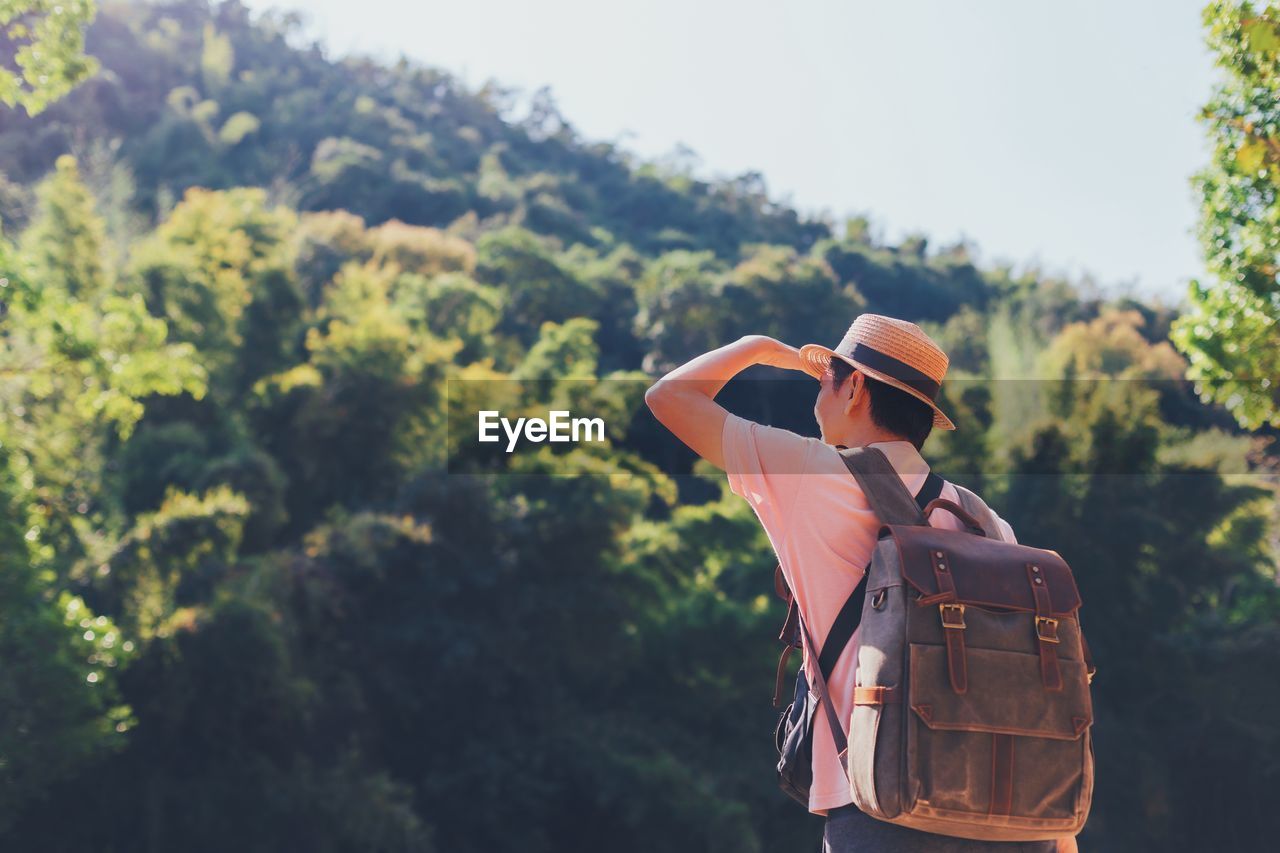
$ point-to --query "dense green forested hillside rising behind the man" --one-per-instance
(255, 596)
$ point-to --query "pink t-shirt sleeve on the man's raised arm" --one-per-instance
(765, 466)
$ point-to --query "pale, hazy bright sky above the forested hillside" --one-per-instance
(1059, 136)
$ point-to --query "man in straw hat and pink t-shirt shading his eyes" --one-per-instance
(877, 389)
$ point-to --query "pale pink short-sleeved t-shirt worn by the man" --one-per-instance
(822, 531)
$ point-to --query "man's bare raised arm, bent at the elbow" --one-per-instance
(684, 402)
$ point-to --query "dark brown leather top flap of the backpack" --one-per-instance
(986, 572)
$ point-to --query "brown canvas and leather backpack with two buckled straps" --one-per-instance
(972, 714)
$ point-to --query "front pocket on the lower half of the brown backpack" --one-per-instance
(1004, 696)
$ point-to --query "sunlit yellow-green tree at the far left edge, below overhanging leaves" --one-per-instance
(72, 371)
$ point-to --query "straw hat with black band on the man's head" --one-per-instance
(894, 352)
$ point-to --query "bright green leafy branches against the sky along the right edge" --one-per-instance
(1232, 335)
